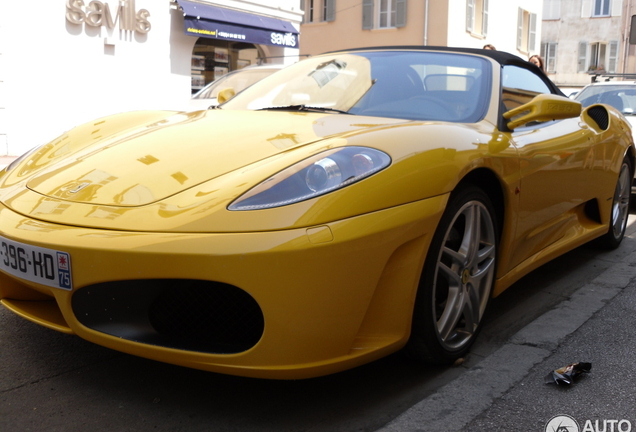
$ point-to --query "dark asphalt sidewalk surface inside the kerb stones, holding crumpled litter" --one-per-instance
(602, 400)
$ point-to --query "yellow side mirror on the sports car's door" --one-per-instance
(544, 107)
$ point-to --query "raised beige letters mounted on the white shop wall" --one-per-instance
(97, 14)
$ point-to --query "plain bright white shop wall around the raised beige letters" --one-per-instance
(55, 74)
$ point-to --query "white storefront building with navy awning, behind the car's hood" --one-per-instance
(66, 62)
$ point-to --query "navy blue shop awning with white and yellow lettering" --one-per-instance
(215, 22)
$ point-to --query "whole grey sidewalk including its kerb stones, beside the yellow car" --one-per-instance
(506, 391)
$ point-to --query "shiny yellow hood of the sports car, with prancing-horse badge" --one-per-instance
(143, 158)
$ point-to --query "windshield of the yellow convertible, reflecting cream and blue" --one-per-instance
(415, 85)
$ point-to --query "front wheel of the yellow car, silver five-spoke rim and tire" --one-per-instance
(457, 279)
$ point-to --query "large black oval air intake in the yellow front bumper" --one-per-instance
(191, 315)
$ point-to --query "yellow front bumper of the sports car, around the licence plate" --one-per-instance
(332, 297)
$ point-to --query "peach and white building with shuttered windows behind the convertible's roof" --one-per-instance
(510, 25)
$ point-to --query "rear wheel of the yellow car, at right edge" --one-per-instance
(620, 207)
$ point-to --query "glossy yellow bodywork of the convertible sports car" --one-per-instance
(135, 200)
